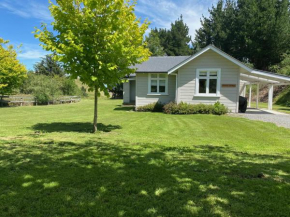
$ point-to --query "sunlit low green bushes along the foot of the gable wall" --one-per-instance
(186, 108)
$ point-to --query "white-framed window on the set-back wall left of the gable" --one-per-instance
(158, 83)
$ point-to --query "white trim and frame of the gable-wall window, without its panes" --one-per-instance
(207, 94)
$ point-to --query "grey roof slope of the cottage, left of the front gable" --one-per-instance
(160, 64)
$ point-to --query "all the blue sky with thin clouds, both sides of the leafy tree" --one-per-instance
(19, 17)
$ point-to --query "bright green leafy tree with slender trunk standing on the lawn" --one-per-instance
(96, 40)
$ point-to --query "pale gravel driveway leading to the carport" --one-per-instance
(280, 119)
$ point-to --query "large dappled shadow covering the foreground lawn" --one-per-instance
(104, 179)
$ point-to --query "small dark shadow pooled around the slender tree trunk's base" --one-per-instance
(73, 127)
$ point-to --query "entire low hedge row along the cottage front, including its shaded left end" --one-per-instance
(185, 108)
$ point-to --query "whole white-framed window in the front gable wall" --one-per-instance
(208, 82)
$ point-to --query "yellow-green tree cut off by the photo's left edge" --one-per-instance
(12, 72)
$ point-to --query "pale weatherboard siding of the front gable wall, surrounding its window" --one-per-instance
(230, 74)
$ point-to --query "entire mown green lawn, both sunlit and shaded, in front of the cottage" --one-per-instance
(140, 164)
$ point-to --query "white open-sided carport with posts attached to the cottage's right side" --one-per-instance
(248, 78)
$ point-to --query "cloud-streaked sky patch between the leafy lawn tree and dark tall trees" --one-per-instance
(162, 13)
